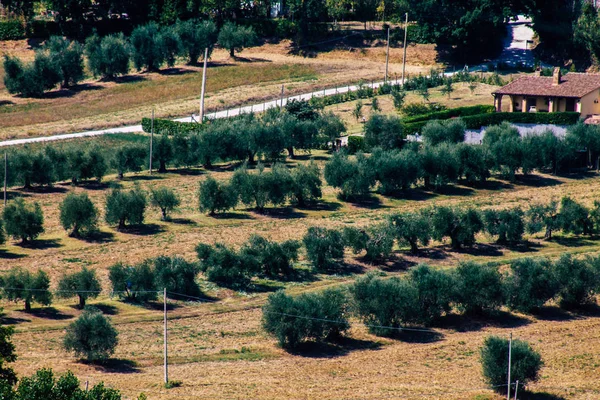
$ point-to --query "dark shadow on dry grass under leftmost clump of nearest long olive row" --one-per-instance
(338, 348)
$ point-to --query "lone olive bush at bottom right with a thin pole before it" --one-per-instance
(525, 362)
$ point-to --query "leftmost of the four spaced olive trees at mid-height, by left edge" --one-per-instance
(23, 221)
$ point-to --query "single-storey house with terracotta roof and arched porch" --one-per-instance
(572, 92)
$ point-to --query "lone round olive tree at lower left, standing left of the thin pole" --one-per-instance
(91, 336)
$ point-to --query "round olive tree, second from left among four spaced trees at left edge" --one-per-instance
(78, 215)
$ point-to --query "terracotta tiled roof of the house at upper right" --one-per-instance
(571, 85)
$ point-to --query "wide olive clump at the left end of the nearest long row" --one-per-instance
(310, 316)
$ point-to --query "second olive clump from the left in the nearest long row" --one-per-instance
(385, 303)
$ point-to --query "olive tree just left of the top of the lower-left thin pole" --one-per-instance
(133, 283)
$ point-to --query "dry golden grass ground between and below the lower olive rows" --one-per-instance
(218, 349)
